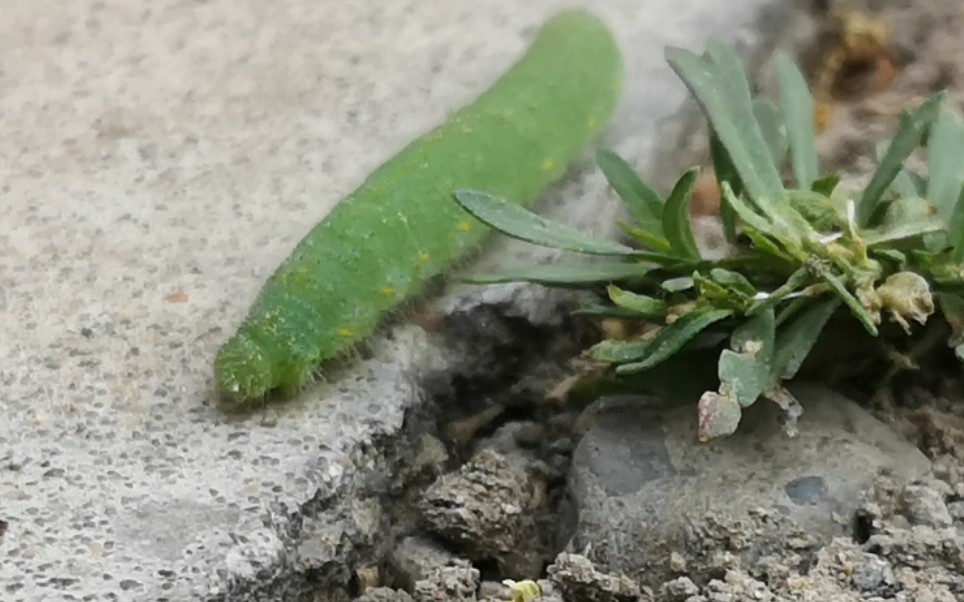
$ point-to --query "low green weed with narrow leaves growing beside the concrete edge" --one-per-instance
(805, 247)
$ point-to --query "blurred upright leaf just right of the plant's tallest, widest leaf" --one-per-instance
(796, 104)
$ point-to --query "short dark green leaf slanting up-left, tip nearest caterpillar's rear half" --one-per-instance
(642, 202)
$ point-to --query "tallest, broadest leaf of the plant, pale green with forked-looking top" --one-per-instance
(718, 82)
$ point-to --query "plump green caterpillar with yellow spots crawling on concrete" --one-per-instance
(402, 226)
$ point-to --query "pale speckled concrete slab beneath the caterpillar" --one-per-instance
(157, 161)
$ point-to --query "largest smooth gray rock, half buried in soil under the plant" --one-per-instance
(644, 487)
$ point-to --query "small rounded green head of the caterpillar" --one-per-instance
(242, 371)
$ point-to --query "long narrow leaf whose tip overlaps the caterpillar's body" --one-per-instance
(513, 220)
